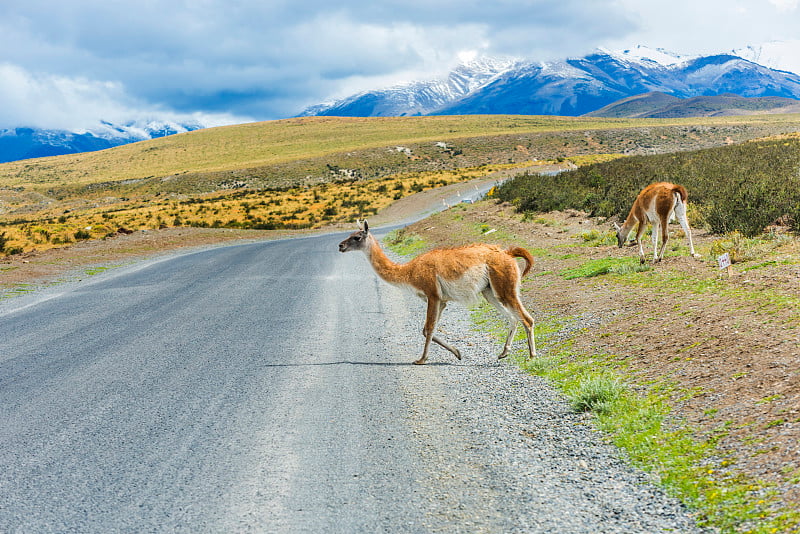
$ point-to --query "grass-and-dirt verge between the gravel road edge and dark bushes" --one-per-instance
(706, 454)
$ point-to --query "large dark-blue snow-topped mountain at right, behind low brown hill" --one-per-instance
(576, 87)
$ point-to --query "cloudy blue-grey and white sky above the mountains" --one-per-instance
(70, 64)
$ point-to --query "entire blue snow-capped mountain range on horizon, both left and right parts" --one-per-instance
(570, 87)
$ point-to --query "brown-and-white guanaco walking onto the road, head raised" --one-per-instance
(454, 274)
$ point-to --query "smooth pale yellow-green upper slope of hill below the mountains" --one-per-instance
(257, 144)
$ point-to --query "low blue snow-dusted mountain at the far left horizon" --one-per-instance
(24, 143)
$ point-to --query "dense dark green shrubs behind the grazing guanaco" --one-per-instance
(741, 188)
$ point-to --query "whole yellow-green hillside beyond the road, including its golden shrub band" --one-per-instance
(311, 172)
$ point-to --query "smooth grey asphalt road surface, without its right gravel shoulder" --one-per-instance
(243, 388)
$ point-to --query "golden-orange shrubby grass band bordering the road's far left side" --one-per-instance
(300, 207)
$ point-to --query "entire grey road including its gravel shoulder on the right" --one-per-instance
(268, 387)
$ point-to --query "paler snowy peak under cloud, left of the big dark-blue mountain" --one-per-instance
(417, 98)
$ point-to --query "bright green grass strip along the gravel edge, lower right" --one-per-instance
(641, 422)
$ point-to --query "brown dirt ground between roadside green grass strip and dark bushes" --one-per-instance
(728, 347)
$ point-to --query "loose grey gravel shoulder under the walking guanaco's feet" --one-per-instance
(504, 451)
